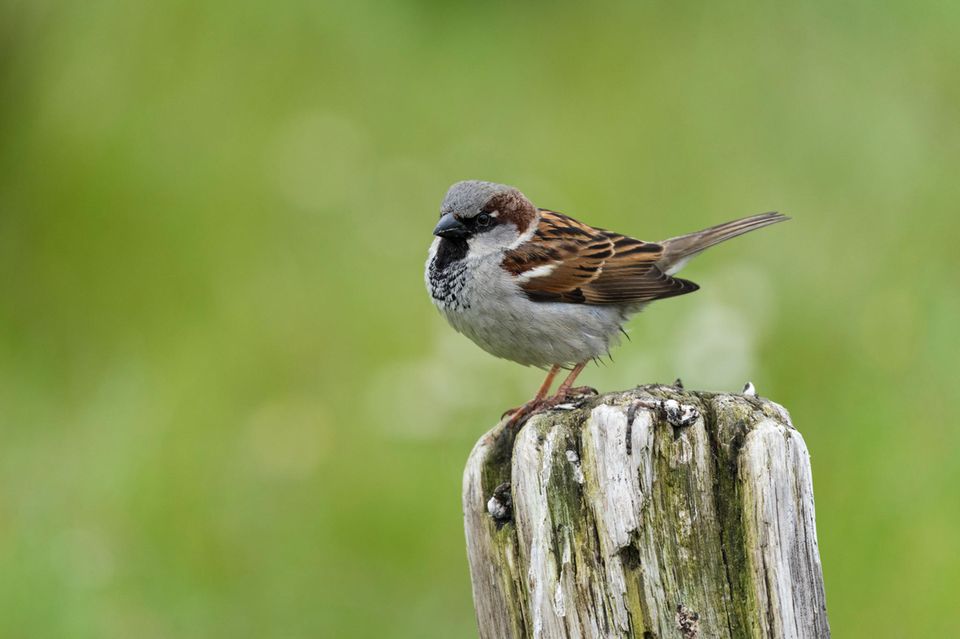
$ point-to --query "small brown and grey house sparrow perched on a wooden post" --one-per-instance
(542, 289)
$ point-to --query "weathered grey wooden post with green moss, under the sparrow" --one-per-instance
(652, 513)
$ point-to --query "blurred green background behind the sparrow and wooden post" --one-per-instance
(227, 406)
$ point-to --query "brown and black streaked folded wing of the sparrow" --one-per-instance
(568, 261)
